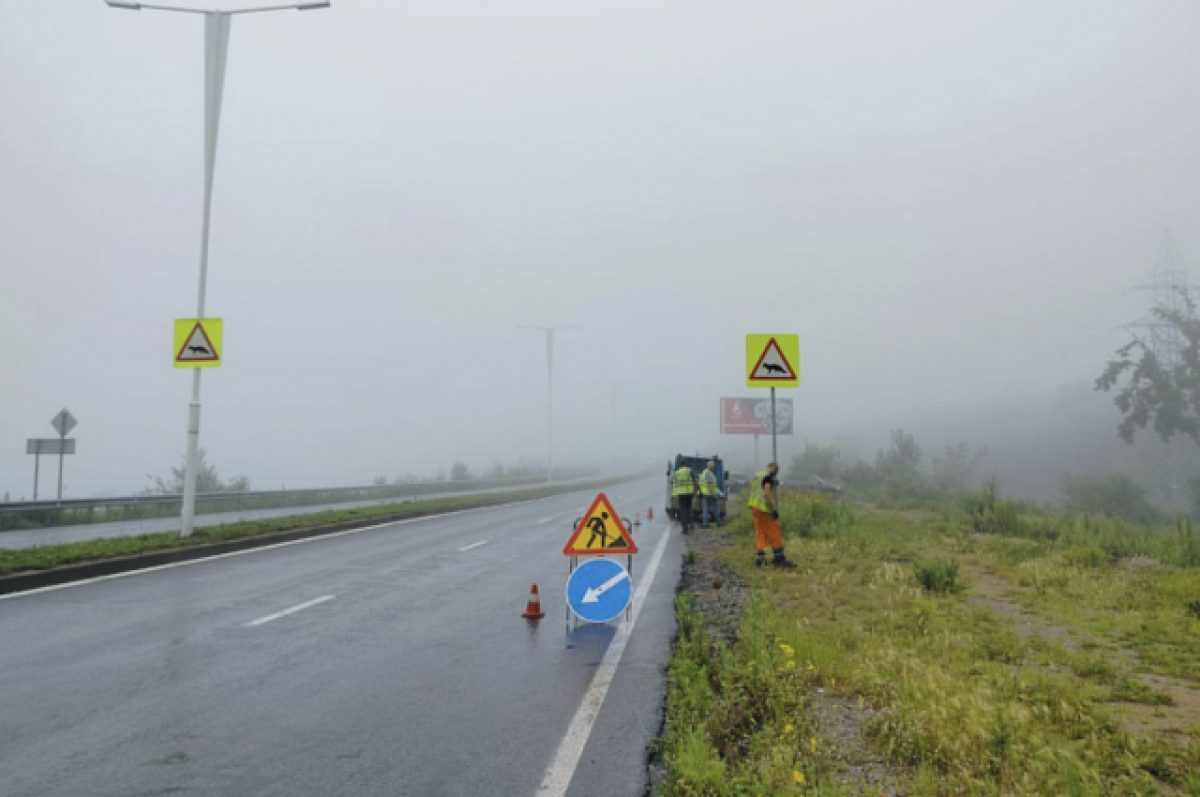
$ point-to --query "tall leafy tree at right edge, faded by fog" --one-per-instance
(1165, 395)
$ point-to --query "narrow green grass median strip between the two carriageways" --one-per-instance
(55, 556)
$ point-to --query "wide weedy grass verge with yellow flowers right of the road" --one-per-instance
(974, 663)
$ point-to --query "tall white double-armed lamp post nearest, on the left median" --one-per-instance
(217, 49)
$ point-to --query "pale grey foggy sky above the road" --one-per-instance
(950, 203)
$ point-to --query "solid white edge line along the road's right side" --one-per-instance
(562, 770)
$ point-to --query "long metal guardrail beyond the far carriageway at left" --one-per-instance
(43, 514)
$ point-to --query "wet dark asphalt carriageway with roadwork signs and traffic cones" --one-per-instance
(415, 676)
